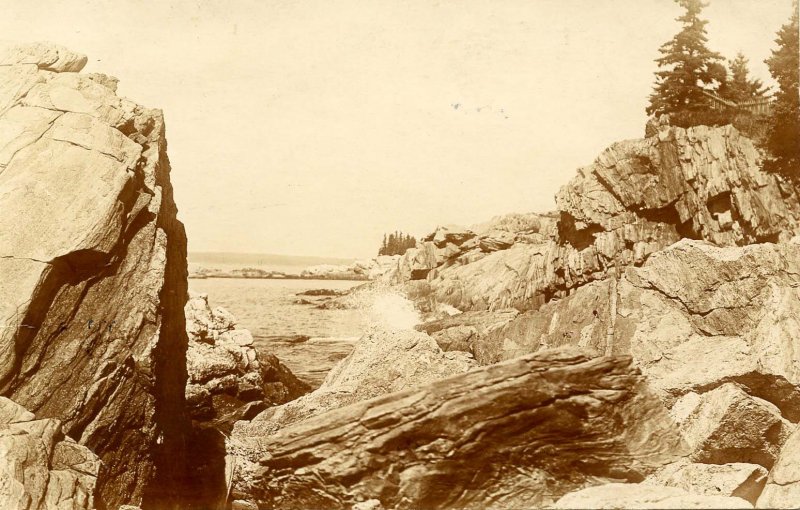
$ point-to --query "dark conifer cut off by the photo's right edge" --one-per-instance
(783, 139)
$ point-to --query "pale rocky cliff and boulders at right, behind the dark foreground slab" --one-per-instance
(677, 250)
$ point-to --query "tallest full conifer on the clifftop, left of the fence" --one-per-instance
(688, 66)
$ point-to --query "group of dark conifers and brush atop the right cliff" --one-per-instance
(689, 72)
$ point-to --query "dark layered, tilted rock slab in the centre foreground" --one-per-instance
(513, 435)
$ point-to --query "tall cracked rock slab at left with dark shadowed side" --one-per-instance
(94, 271)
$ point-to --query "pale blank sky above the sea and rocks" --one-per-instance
(311, 127)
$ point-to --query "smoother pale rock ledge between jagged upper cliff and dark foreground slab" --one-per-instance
(694, 317)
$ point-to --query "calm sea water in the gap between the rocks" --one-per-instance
(268, 309)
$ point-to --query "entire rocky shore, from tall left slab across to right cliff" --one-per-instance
(636, 348)
